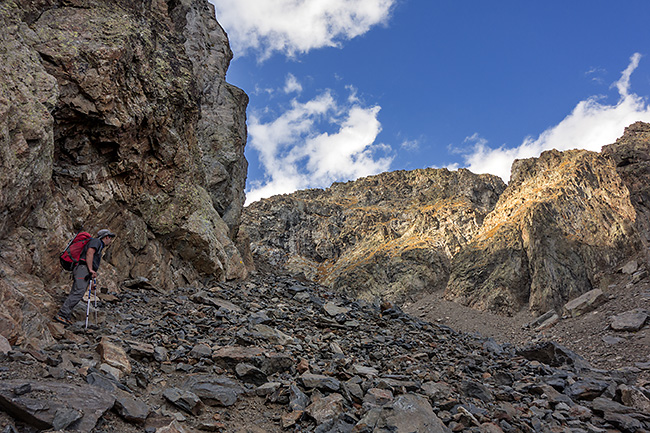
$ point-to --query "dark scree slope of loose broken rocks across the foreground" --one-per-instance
(275, 354)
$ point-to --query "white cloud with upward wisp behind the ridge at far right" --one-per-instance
(590, 126)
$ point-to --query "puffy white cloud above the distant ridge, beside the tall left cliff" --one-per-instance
(295, 155)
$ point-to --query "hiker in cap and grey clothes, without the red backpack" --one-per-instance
(82, 273)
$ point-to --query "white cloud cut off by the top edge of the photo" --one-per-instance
(297, 26)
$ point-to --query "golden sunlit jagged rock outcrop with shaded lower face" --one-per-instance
(564, 218)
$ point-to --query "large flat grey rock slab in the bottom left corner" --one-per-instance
(50, 402)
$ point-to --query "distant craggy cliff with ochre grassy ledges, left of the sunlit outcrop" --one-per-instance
(388, 235)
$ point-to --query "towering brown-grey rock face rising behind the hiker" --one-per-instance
(115, 114)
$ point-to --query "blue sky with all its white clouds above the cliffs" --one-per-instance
(341, 89)
